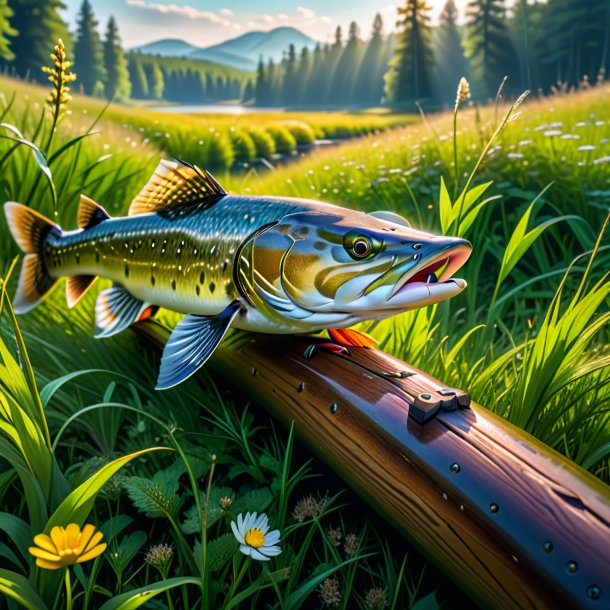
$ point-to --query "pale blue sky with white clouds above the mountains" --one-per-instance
(207, 22)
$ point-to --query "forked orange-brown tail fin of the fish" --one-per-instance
(29, 230)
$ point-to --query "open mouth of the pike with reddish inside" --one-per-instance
(436, 271)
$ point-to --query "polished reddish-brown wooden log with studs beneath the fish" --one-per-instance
(512, 522)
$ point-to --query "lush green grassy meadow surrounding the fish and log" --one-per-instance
(529, 339)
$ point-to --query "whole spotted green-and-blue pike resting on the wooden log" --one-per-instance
(262, 264)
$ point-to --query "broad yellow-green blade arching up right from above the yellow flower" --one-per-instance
(77, 506)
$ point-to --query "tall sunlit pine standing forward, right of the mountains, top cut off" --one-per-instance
(408, 76)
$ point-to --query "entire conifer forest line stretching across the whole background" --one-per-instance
(537, 44)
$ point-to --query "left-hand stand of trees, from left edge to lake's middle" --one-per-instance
(28, 29)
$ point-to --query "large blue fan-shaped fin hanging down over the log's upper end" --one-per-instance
(191, 344)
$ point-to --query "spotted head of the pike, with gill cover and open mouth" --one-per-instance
(368, 266)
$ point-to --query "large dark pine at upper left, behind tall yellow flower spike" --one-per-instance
(39, 25)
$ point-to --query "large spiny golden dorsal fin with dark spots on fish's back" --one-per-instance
(176, 183)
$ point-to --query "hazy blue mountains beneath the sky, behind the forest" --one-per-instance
(241, 52)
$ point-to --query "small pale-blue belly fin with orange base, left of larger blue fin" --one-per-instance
(116, 310)
